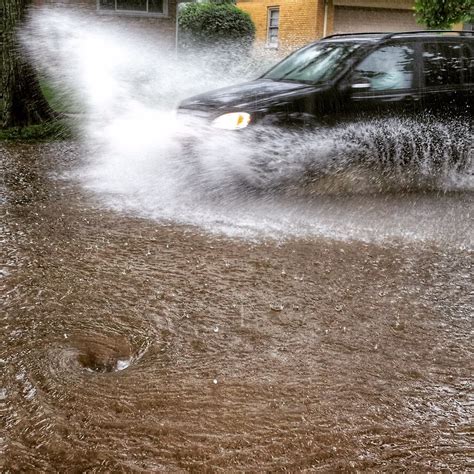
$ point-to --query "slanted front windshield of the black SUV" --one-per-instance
(314, 64)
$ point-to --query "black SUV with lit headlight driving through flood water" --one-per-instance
(350, 77)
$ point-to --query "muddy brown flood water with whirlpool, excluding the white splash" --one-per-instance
(129, 345)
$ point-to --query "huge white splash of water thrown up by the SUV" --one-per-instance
(145, 160)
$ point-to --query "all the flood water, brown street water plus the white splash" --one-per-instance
(163, 316)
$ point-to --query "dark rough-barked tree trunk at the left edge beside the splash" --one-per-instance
(21, 96)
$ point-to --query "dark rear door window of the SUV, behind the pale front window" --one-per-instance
(442, 64)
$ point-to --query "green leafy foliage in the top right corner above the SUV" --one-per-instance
(442, 14)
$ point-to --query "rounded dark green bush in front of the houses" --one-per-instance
(214, 23)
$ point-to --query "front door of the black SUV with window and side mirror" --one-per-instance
(385, 83)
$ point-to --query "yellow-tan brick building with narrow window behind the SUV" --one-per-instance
(286, 24)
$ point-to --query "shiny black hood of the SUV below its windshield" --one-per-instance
(251, 94)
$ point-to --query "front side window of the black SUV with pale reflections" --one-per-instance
(388, 68)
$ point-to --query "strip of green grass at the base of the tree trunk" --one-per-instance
(57, 130)
